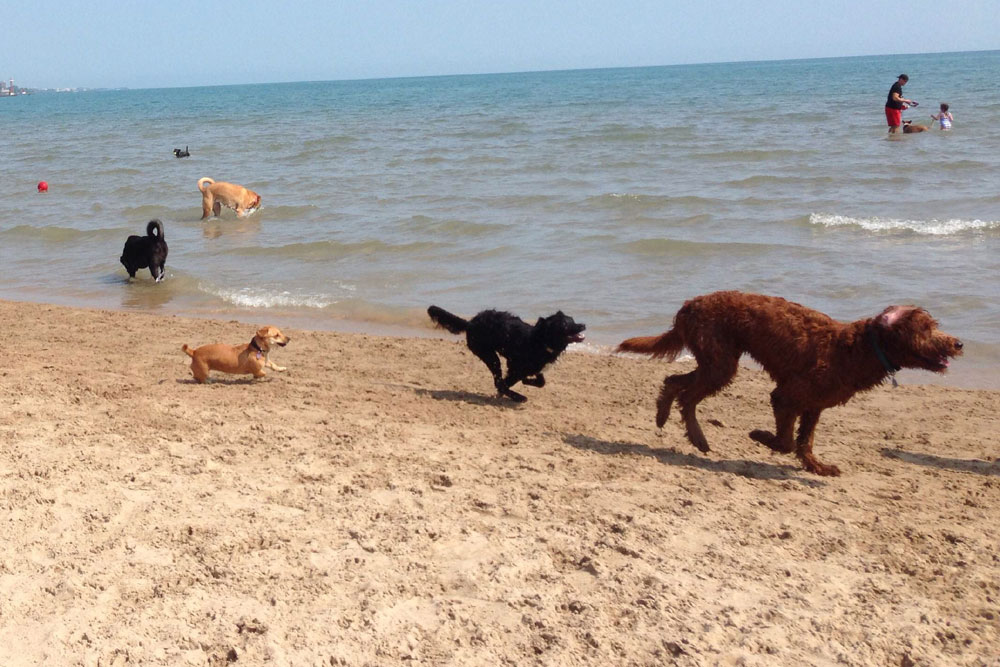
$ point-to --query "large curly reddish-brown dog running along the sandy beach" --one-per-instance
(815, 361)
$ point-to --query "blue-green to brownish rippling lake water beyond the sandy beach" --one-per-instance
(611, 194)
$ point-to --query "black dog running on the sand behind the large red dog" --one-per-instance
(528, 349)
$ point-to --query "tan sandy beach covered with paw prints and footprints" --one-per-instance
(376, 505)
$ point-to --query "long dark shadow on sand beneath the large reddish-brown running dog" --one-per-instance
(743, 468)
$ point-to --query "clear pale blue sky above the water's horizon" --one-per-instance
(170, 43)
